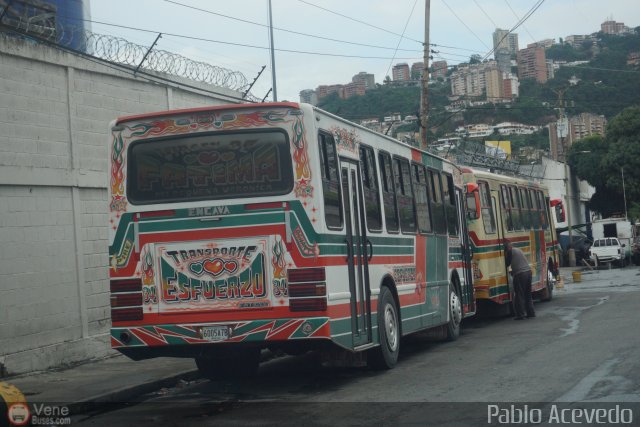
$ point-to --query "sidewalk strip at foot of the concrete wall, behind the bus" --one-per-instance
(113, 380)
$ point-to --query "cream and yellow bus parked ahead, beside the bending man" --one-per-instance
(504, 207)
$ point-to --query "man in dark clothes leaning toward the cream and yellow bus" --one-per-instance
(521, 273)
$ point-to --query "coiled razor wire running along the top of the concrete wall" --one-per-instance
(39, 19)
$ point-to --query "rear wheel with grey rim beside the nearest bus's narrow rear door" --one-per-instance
(386, 355)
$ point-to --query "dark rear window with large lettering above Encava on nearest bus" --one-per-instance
(209, 167)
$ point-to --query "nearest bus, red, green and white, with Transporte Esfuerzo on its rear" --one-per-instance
(239, 228)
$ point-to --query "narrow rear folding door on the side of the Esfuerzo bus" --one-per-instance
(357, 256)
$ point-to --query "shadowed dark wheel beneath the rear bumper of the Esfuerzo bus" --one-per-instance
(243, 364)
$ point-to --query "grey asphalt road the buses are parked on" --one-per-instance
(582, 350)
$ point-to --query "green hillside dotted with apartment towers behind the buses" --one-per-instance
(519, 95)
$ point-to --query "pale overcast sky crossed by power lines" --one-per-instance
(464, 26)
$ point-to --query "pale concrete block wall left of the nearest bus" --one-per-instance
(54, 113)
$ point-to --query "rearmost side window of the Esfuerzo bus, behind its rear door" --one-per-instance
(330, 181)
